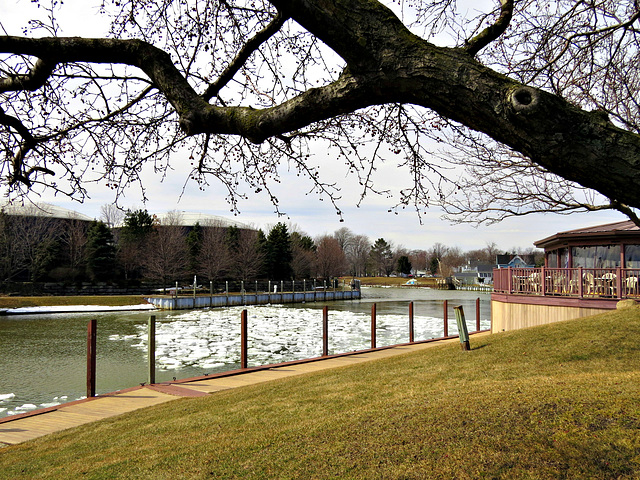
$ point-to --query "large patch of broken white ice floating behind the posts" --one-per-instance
(211, 338)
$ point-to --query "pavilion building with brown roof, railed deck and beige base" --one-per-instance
(587, 271)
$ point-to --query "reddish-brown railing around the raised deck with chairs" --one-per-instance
(615, 283)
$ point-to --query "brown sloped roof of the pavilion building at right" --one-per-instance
(610, 232)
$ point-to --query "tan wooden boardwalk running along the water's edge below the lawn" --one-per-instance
(20, 428)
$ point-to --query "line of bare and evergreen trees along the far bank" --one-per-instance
(143, 248)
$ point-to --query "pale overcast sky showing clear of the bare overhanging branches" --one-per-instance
(307, 212)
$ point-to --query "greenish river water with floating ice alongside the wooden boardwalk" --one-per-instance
(43, 357)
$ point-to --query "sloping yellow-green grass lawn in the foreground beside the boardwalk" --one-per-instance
(558, 401)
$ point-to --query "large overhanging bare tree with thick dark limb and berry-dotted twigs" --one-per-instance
(556, 83)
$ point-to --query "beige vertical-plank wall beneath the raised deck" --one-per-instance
(512, 316)
